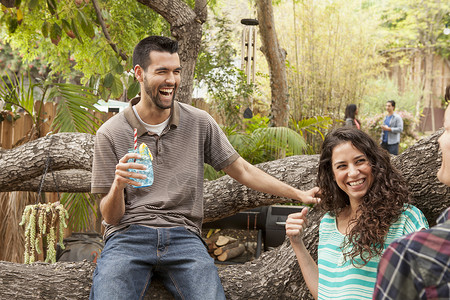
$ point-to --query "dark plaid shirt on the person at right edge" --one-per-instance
(417, 266)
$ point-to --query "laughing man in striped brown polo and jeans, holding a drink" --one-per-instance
(155, 230)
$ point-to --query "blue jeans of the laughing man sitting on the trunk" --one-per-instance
(132, 256)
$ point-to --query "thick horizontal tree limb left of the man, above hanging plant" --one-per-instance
(71, 160)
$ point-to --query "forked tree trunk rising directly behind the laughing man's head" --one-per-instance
(186, 27)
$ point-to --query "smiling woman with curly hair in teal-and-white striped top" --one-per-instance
(367, 206)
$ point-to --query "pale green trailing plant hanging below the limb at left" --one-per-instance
(48, 221)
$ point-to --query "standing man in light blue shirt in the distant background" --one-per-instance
(392, 127)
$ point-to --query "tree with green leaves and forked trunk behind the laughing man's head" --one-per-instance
(97, 37)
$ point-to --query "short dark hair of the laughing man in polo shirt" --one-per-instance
(141, 53)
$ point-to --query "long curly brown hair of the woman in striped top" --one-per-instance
(380, 207)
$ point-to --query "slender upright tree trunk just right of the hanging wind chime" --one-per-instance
(276, 57)
